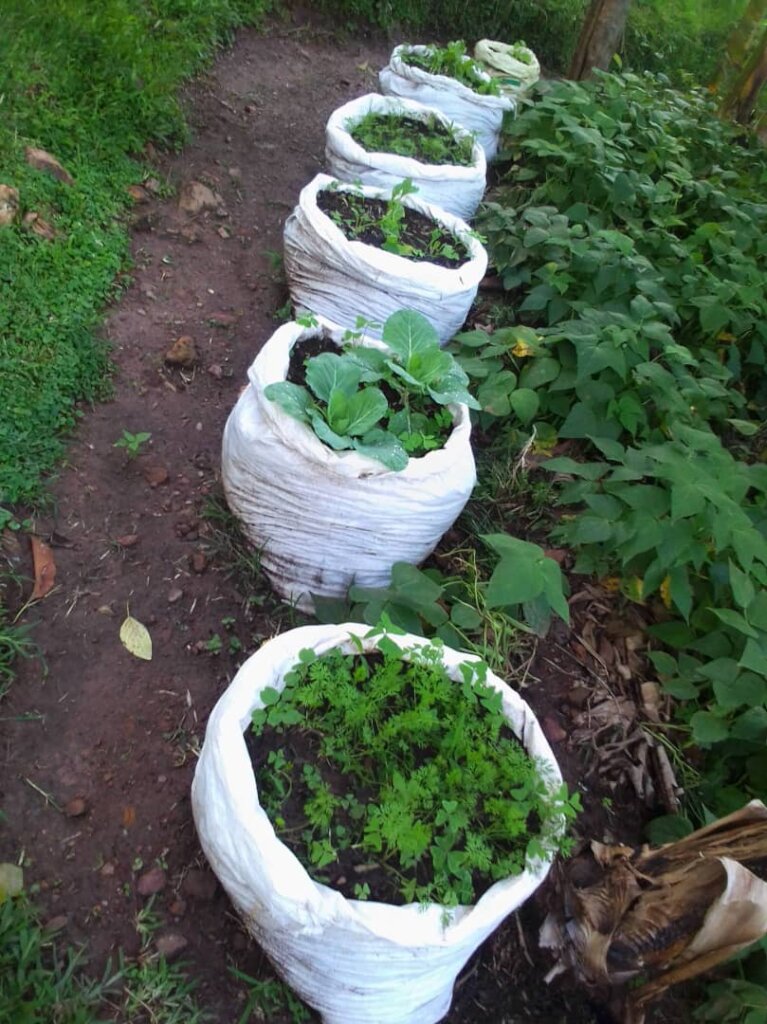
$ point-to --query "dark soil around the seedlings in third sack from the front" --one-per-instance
(418, 231)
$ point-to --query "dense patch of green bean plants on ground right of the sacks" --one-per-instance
(629, 235)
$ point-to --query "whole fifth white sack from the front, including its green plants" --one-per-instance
(446, 78)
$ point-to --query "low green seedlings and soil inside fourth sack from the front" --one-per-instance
(428, 140)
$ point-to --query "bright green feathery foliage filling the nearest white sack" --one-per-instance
(407, 769)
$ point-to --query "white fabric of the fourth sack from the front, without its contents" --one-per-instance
(455, 189)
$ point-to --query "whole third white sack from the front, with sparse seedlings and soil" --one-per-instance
(354, 247)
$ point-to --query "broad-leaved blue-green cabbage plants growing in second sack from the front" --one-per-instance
(345, 405)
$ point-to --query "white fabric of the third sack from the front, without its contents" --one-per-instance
(340, 280)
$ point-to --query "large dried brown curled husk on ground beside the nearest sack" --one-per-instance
(665, 915)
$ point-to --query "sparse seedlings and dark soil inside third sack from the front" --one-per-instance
(391, 226)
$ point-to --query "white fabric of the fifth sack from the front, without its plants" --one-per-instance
(479, 114)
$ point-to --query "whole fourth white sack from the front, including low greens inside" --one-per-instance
(381, 141)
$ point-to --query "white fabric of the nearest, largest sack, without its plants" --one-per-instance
(356, 962)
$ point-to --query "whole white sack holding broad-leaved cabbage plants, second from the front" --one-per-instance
(340, 462)
